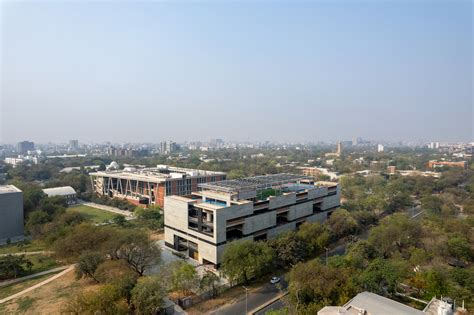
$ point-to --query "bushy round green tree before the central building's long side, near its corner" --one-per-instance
(243, 260)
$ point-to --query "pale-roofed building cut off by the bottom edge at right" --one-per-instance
(367, 303)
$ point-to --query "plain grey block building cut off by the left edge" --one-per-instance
(11, 214)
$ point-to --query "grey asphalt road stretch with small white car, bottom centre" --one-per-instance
(255, 298)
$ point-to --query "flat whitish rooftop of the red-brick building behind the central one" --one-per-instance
(156, 174)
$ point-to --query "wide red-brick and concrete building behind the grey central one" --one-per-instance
(149, 186)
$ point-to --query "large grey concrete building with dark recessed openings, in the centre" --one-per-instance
(253, 208)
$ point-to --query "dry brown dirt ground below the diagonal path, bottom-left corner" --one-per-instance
(48, 299)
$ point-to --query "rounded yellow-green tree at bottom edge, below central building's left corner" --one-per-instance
(148, 295)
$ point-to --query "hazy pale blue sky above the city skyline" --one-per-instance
(308, 71)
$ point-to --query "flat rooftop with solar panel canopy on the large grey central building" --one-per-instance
(255, 182)
